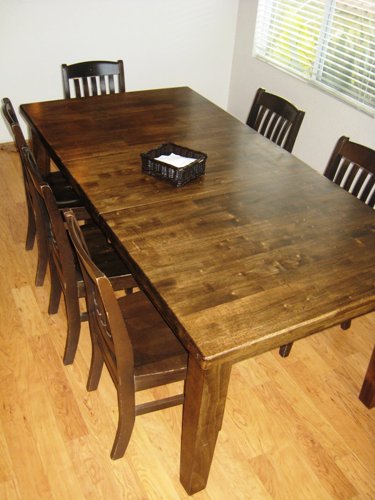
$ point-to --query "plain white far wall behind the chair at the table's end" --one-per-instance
(164, 43)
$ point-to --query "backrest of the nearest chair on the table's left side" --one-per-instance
(105, 317)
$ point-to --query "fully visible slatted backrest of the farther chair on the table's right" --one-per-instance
(275, 118)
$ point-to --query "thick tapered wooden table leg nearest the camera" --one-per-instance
(205, 396)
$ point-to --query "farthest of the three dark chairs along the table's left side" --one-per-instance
(63, 192)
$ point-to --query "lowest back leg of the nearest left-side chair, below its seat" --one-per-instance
(126, 419)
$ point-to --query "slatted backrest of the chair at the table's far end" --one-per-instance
(85, 79)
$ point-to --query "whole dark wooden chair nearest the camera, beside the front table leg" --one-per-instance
(132, 339)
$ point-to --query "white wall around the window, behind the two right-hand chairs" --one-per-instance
(326, 118)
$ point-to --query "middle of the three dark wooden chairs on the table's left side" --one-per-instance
(65, 272)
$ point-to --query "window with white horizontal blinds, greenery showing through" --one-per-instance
(328, 42)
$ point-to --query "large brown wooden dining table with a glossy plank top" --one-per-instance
(259, 252)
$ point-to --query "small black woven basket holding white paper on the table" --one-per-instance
(170, 173)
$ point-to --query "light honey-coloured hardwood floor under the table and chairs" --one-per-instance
(293, 428)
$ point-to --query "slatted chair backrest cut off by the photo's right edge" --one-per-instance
(352, 167)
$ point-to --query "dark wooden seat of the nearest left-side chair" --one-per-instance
(156, 349)
